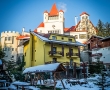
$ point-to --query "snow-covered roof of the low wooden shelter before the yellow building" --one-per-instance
(42, 68)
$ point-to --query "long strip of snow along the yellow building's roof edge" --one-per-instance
(58, 41)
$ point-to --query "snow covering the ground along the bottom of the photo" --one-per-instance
(89, 86)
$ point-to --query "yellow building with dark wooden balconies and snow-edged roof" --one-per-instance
(48, 48)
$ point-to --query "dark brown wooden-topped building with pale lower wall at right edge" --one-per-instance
(100, 49)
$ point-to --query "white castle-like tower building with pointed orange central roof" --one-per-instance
(53, 21)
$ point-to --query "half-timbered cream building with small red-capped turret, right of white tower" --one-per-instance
(83, 30)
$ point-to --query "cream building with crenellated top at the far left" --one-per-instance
(9, 44)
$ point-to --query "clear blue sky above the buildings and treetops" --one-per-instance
(16, 14)
